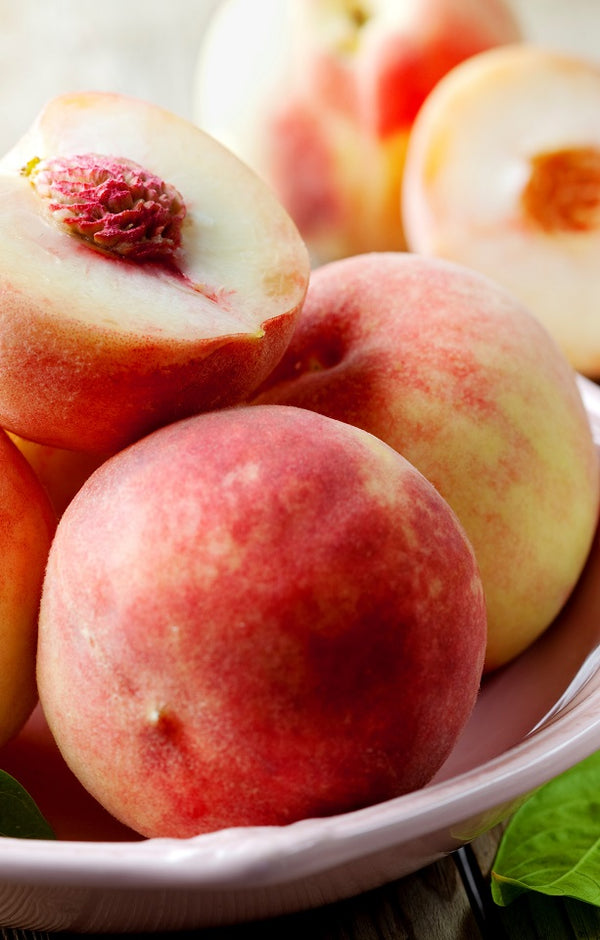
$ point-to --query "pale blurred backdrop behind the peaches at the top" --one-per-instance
(149, 48)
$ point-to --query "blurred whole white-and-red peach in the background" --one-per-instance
(323, 96)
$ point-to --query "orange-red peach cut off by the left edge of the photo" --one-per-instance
(27, 525)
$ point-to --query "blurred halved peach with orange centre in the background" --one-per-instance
(503, 175)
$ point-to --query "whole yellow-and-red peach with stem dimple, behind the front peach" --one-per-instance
(453, 372)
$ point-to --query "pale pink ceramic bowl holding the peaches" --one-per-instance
(535, 718)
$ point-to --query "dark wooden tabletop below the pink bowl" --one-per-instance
(446, 901)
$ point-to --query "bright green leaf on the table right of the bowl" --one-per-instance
(552, 843)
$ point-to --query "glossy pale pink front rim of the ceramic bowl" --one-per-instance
(260, 856)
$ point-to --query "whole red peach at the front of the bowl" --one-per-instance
(253, 616)
